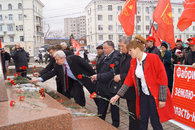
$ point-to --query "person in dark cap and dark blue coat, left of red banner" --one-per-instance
(167, 64)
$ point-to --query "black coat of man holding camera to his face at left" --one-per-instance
(20, 58)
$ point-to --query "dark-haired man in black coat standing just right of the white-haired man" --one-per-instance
(103, 77)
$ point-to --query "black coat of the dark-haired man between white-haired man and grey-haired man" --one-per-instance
(105, 73)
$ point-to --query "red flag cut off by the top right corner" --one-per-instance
(187, 17)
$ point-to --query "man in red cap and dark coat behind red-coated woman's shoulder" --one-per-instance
(151, 48)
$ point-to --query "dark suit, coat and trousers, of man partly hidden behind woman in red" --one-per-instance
(130, 95)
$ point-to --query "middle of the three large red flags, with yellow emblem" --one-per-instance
(163, 17)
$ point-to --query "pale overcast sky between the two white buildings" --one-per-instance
(56, 10)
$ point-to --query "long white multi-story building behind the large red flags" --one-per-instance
(102, 21)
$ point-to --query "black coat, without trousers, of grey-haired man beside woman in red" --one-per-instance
(124, 69)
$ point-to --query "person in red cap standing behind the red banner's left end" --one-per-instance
(176, 53)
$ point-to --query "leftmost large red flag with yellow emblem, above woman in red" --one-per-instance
(127, 16)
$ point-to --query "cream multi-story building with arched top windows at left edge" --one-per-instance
(21, 22)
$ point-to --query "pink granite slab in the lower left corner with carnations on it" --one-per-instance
(51, 116)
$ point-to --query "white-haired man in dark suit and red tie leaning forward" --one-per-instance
(68, 69)
